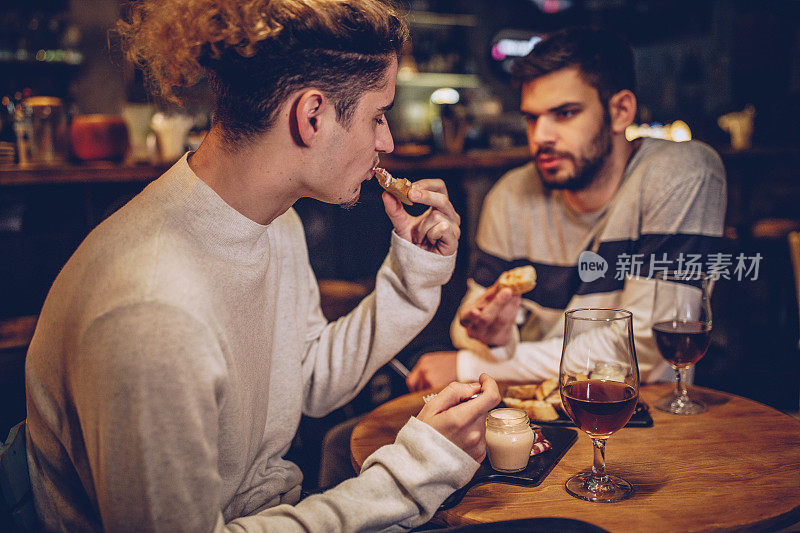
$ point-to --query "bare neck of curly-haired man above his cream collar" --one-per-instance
(251, 180)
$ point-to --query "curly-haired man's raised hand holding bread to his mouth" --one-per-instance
(437, 229)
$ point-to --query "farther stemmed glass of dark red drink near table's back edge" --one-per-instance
(682, 331)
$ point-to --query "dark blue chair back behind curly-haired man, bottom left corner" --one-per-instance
(15, 482)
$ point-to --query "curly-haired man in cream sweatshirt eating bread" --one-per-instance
(181, 342)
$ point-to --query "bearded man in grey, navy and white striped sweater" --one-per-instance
(589, 198)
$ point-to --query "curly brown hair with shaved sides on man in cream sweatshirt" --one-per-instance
(255, 53)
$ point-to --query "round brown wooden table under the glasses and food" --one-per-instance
(734, 467)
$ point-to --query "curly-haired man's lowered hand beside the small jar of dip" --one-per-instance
(464, 424)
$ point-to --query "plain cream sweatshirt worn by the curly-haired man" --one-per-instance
(175, 354)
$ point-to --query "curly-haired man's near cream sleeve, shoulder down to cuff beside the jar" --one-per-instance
(151, 380)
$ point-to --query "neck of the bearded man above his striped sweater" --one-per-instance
(609, 177)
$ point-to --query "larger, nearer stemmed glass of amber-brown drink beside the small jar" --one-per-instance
(599, 384)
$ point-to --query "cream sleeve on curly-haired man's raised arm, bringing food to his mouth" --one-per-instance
(342, 356)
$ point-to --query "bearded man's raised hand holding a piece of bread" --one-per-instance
(491, 317)
